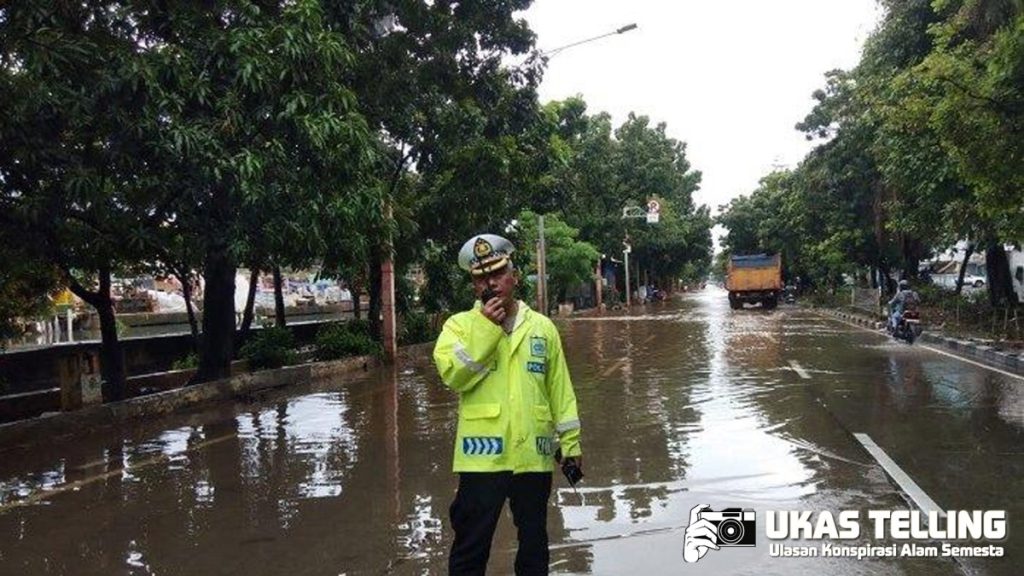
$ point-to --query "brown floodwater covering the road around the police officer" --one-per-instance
(682, 404)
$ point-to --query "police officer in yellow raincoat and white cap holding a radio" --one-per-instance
(517, 405)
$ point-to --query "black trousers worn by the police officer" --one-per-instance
(476, 512)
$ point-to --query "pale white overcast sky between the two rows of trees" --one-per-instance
(730, 78)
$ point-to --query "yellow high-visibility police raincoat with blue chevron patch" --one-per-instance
(515, 393)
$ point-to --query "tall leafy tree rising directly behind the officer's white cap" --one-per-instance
(433, 83)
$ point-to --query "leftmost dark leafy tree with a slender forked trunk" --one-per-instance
(75, 166)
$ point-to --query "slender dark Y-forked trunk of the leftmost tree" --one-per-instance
(112, 358)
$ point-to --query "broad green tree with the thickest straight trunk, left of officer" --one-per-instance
(258, 117)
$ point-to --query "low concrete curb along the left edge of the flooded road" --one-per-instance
(67, 424)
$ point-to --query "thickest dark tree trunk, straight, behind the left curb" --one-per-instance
(218, 349)
